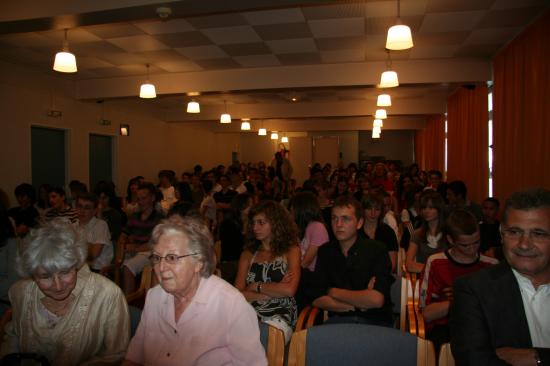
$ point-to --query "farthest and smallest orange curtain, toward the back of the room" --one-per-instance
(429, 144)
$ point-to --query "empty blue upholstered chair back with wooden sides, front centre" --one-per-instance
(358, 344)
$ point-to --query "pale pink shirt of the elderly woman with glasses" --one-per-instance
(218, 327)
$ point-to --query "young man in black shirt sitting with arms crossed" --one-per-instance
(353, 274)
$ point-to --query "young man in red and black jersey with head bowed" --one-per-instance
(442, 269)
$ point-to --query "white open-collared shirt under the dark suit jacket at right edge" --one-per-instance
(536, 304)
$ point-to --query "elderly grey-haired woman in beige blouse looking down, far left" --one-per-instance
(62, 310)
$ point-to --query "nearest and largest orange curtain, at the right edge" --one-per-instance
(522, 111)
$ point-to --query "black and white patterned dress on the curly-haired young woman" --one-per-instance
(280, 312)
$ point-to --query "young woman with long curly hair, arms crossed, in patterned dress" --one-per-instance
(269, 268)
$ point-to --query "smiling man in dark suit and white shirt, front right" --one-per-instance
(501, 314)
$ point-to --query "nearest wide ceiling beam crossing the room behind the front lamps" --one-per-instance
(330, 75)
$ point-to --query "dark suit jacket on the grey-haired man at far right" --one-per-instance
(487, 313)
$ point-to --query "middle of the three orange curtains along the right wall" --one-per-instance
(467, 140)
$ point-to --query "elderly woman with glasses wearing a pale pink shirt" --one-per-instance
(193, 317)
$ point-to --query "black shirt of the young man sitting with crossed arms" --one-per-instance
(366, 259)
